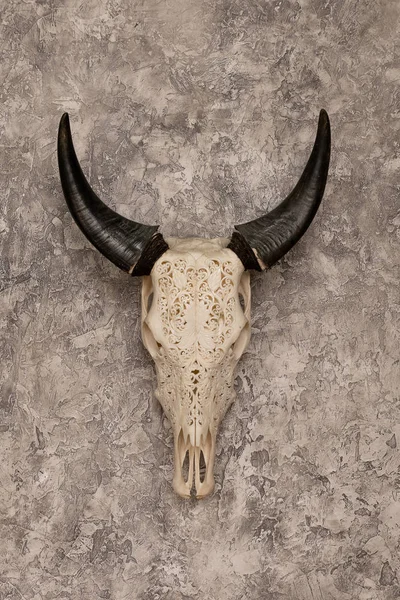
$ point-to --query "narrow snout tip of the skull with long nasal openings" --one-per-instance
(194, 465)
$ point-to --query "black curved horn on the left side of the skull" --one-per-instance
(131, 246)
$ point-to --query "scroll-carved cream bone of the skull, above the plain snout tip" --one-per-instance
(196, 318)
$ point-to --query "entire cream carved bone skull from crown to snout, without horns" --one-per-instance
(196, 330)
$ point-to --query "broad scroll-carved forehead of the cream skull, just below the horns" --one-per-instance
(196, 307)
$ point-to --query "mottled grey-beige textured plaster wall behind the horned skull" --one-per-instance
(198, 115)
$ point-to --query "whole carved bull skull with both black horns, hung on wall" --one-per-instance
(195, 298)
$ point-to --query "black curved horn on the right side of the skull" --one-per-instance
(262, 242)
